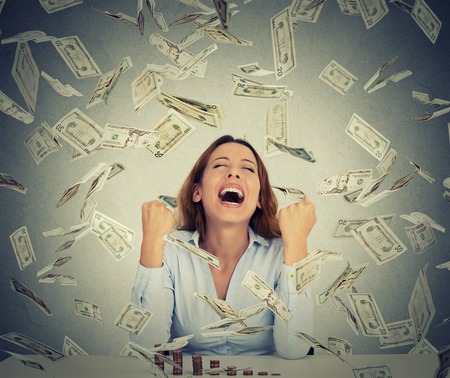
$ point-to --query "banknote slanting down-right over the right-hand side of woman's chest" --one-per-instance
(267, 295)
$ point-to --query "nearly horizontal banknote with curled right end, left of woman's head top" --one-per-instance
(124, 137)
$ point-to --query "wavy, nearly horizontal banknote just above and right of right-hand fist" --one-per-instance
(344, 182)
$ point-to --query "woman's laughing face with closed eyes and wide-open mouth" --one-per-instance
(229, 189)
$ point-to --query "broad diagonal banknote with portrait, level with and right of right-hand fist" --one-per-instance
(379, 240)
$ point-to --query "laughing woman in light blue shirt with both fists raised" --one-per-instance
(226, 207)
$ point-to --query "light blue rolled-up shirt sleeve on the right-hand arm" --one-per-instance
(301, 306)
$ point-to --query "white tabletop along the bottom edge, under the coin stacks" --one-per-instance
(318, 366)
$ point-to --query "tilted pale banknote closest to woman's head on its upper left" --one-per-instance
(173, 129)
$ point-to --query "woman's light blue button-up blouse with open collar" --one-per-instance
(167, 292)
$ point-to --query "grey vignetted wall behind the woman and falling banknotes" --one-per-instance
(318, 116)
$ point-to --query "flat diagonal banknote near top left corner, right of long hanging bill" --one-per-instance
(77, 58)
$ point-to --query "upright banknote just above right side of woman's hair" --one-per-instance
(277, 127)
